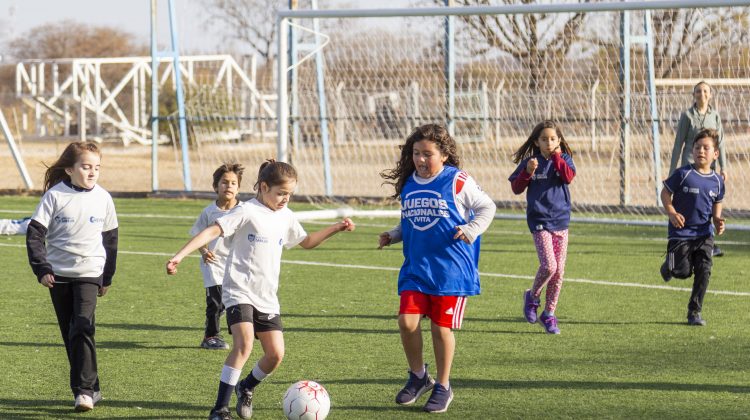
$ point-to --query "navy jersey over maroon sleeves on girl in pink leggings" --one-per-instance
(548, 196)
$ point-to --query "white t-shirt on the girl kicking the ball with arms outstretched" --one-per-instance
(254, 261)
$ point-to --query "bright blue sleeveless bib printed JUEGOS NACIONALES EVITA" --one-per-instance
(434, 262)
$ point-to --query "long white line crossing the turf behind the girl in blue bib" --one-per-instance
(499, 275)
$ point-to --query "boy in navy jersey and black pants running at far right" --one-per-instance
(692, 198)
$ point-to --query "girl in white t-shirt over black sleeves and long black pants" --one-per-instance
(72, 247)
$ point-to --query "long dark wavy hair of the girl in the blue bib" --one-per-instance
(405, 165)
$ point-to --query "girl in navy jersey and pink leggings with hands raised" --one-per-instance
(545, 167)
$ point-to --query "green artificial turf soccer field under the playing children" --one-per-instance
(625, 350)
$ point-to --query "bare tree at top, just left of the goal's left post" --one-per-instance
(250, 22)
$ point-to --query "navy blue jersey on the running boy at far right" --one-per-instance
(693, 196)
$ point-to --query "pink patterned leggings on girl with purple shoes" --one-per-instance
(552, 248)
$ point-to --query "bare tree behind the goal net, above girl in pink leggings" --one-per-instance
(534, 40)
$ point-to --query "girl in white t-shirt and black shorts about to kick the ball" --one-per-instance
(260, 227)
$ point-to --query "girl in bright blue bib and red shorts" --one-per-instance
(443, 212)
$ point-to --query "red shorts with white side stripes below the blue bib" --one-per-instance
(445, 311)
